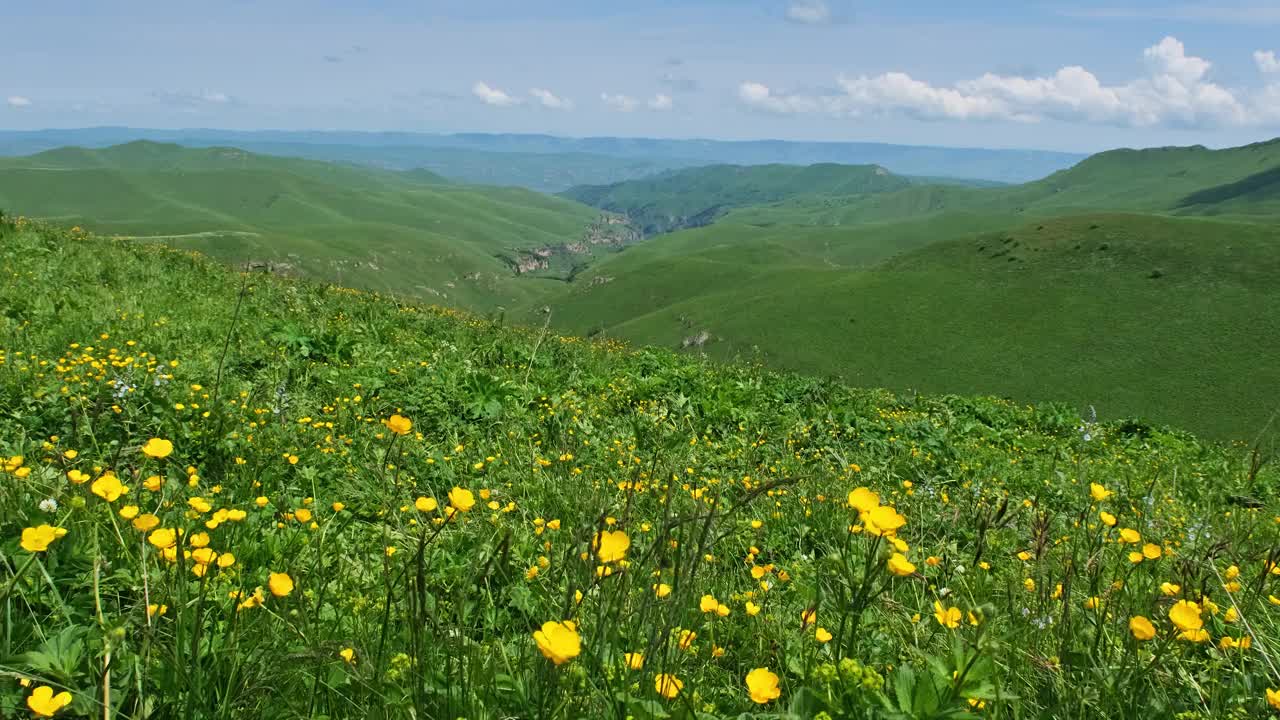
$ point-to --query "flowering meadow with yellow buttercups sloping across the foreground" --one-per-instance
(235, 496)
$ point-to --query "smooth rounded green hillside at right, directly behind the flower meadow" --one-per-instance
(1167, 318)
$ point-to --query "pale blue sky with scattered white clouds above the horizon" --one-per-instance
(1081, 76)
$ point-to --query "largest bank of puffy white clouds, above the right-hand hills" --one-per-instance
(1176, 90)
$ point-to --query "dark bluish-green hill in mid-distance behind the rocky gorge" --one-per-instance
(698, 197)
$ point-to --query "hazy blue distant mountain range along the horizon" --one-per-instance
(552, 165)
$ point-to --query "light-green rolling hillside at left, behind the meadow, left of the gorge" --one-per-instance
(403, 233)
